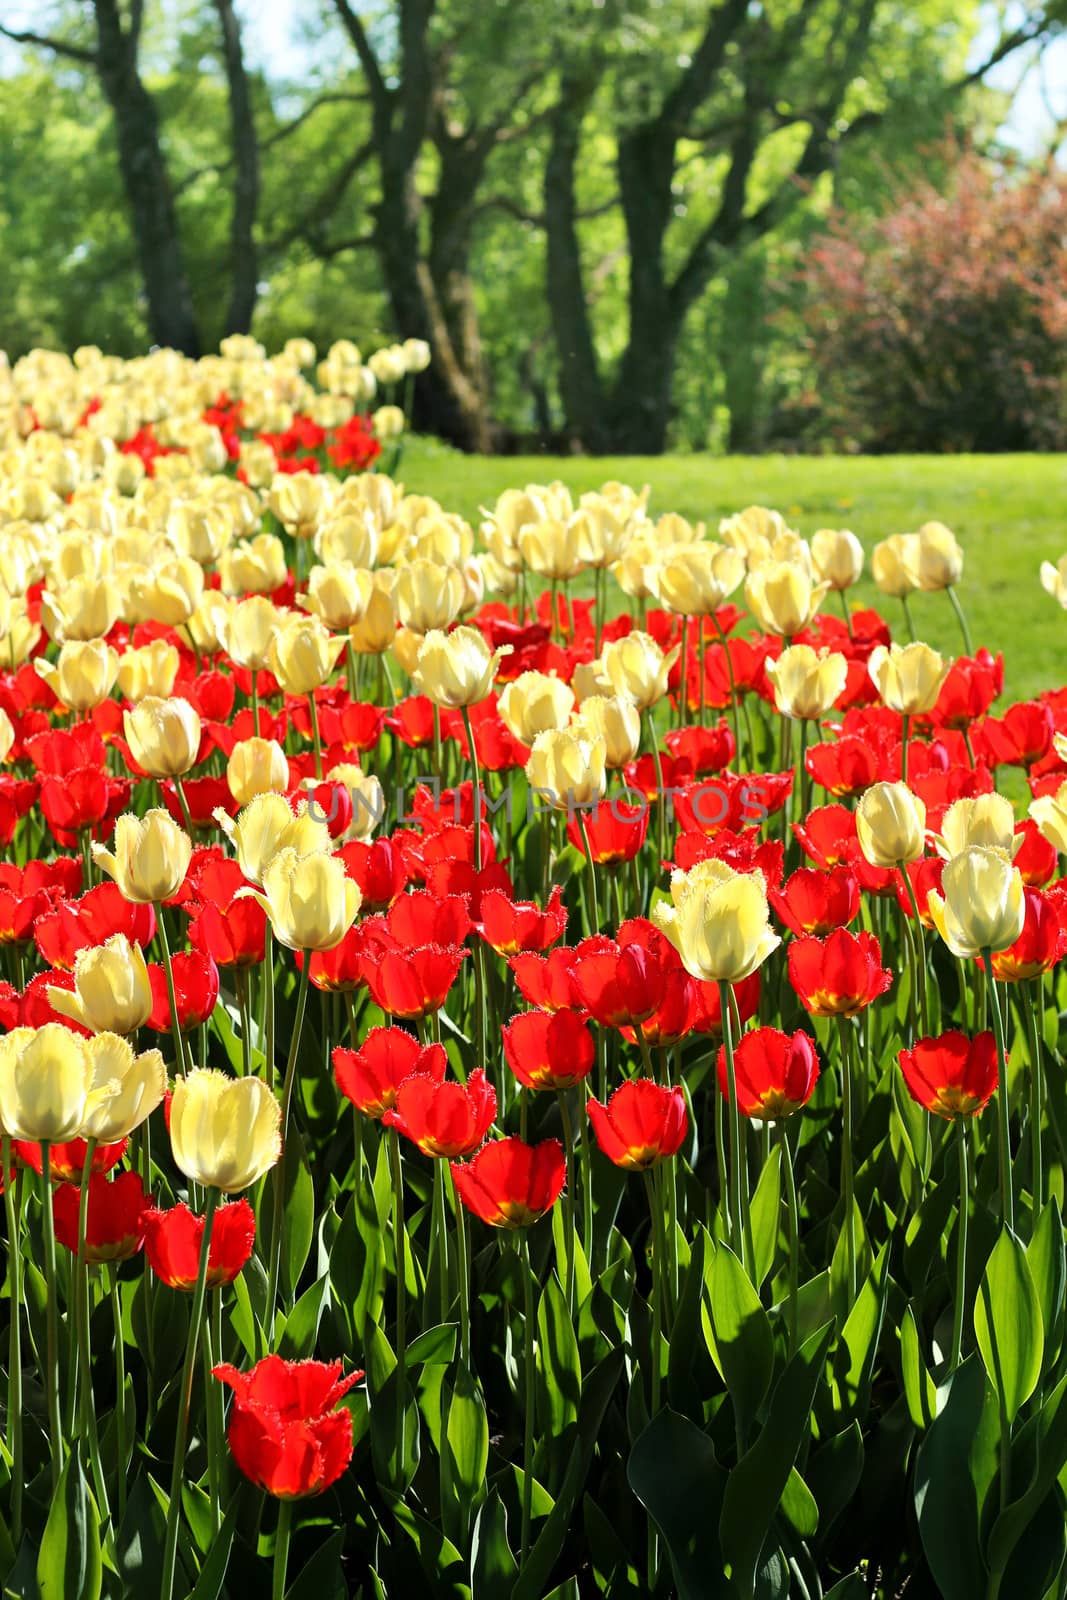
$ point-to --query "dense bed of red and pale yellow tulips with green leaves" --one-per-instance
(530, 1055)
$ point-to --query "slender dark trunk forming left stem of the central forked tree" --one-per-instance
(580, 375)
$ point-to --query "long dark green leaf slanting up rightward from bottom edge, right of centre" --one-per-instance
(757, 1484)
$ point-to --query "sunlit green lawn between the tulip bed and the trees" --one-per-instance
(1009, 513)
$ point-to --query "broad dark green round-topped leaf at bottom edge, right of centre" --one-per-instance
(677, 1479)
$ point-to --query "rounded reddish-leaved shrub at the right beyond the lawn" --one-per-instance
(945, 324)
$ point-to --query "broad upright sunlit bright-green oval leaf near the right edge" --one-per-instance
(1009, 1324)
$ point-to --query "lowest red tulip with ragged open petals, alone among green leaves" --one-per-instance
(287, 1433)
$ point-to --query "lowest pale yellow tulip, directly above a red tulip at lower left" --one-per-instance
(226, 1134)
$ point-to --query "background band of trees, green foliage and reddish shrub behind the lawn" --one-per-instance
(621, 225)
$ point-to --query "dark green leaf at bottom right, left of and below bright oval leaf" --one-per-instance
(945, 1494)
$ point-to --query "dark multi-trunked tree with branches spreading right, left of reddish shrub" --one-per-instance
(770, 97)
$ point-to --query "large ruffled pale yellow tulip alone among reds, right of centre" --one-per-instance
(719, 922)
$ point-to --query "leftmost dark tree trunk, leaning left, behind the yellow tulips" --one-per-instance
(148, 186)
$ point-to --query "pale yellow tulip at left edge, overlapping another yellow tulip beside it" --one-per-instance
(46, 1079)
